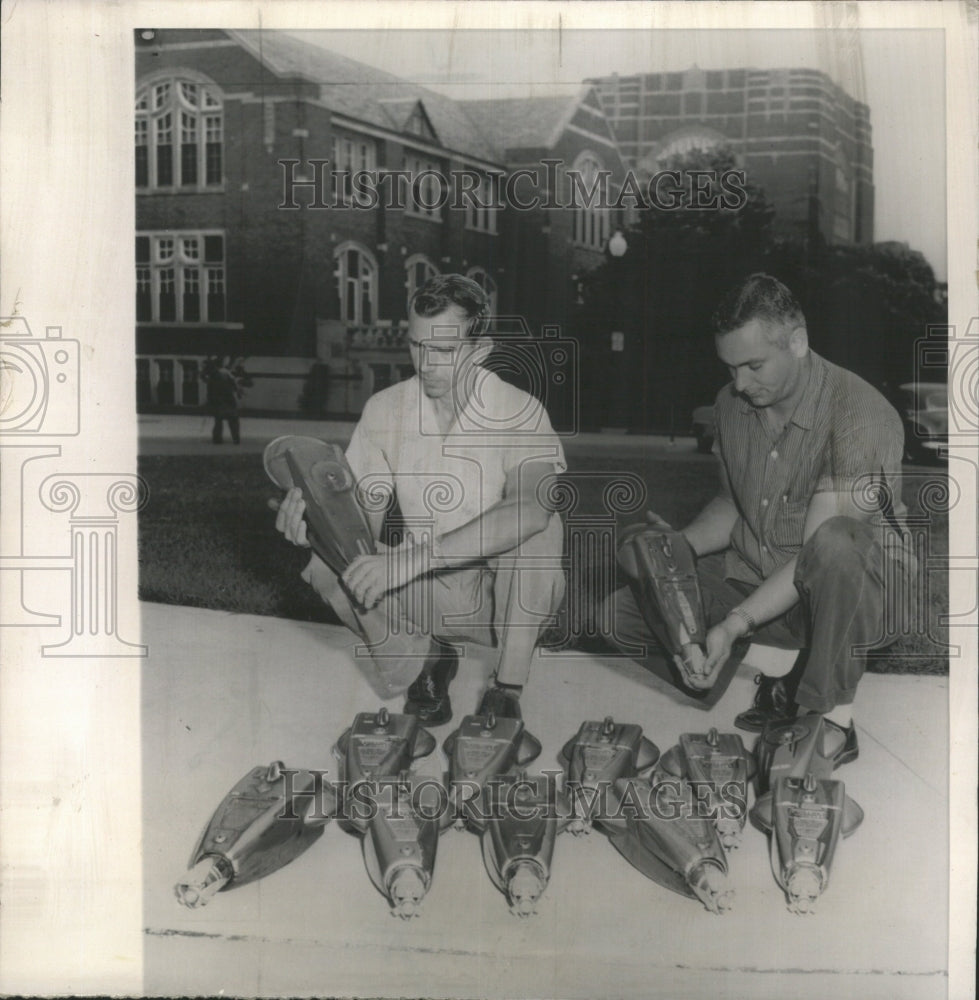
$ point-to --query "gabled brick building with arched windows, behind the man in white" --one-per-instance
(256, 238)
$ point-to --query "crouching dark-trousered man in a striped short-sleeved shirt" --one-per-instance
(803, 547)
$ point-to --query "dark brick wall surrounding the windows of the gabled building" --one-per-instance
(280, 262)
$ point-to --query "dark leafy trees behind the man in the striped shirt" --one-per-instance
(865, 305)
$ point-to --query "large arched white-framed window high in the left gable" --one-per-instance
(179, 135)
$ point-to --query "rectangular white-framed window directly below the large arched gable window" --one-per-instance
(180, 277)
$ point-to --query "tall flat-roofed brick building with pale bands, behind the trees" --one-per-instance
(798, 135)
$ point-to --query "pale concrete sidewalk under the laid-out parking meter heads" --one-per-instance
(223, 693)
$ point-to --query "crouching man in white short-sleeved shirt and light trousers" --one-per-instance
(468, 458)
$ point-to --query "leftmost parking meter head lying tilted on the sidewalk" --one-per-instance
(267, 819)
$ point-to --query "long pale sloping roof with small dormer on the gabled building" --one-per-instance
(367, 94)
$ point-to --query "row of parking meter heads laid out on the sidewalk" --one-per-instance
(673, 816)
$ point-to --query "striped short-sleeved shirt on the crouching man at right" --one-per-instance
(844, 436)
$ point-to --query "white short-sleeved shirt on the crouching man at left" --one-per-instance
(443, 481)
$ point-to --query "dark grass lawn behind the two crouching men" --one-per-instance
(207, 539)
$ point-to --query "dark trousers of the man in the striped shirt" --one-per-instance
(849, 582)
